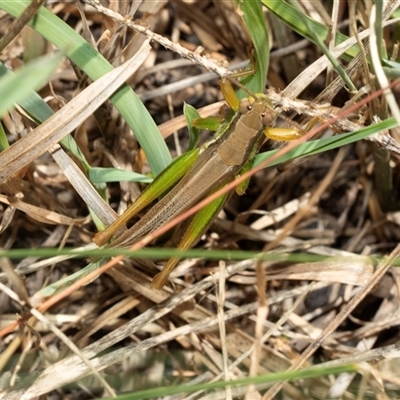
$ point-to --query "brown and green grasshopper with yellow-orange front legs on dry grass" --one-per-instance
(202, 171)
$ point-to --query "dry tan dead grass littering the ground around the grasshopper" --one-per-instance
(216, 319)
